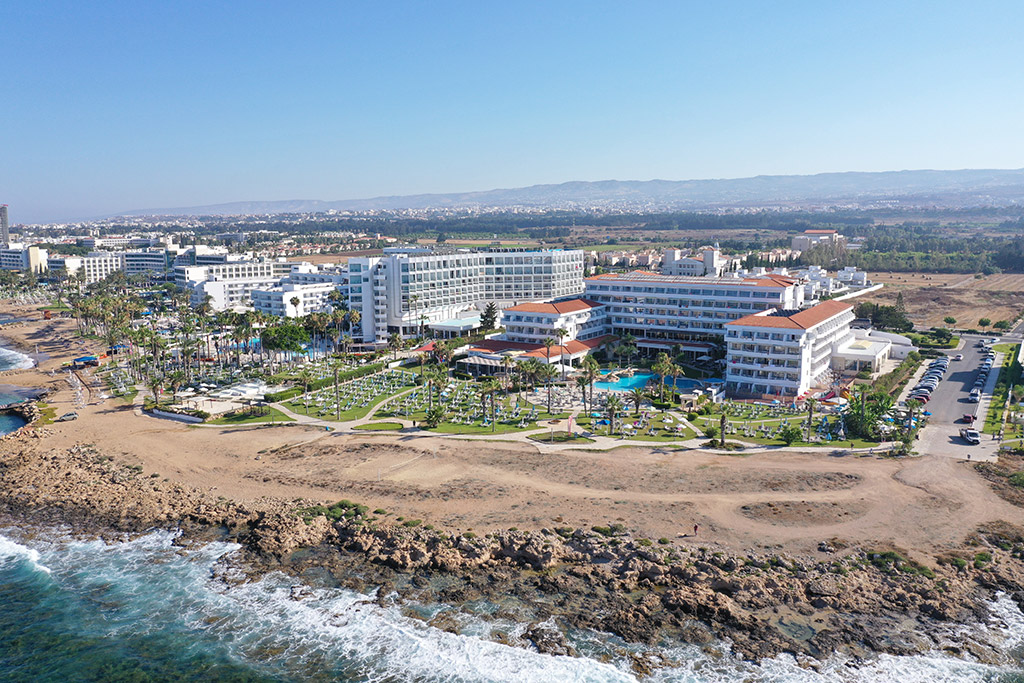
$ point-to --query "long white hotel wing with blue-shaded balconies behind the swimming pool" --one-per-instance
(687, 313)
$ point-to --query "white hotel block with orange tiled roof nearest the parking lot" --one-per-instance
(786, 354)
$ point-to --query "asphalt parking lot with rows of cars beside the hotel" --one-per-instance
(950, 402)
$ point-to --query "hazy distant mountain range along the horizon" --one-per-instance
(918, 189)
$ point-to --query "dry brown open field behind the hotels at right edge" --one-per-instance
(929, 298)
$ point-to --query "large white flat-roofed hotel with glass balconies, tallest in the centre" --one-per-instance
(412, 288)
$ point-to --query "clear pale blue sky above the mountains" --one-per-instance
(107, 107)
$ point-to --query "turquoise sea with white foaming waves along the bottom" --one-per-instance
(147, 610)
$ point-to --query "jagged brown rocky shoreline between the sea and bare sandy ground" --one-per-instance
(855, 602)
